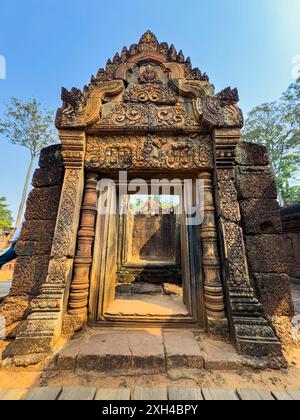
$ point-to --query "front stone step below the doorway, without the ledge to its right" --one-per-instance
(131, 352)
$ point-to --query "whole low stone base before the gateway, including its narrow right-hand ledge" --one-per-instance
(154, 351)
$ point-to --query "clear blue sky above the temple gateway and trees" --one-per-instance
(52, 43)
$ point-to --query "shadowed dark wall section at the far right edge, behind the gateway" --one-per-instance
(290, 217)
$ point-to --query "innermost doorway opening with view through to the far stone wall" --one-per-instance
(149, 276)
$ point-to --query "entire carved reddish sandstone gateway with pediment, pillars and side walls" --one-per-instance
(153, 115)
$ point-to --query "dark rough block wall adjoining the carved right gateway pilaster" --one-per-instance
(264, 237)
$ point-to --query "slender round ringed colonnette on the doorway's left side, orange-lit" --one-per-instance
(79, 292)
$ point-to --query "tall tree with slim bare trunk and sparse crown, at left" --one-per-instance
(27, 124)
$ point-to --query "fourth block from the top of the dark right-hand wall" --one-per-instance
(265, 254)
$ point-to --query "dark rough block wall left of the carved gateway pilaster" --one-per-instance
(35, 242)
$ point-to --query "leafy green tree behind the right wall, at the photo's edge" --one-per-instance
(276, 125)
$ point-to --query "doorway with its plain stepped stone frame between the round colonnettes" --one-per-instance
(144, 268)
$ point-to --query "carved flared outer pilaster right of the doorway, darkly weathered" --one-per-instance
(252, 332)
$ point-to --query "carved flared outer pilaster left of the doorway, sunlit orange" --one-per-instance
(43, 326)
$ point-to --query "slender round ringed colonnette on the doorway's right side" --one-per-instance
(217, 322)
